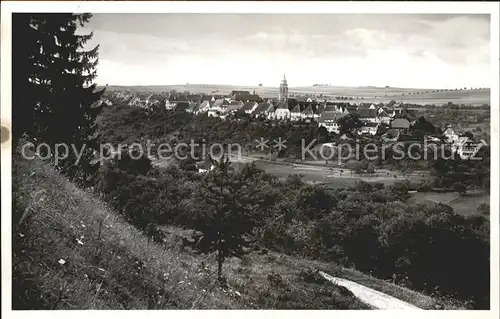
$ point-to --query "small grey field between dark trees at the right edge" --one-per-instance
(465, 205)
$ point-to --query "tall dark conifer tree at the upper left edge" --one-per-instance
(54, 97)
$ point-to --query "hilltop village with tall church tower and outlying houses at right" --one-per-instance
(386, 121)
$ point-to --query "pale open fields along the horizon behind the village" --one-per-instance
(359, 94)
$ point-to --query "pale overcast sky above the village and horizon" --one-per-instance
(417, 51)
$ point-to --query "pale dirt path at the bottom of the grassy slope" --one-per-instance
(374, 298)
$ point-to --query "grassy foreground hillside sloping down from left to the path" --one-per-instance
(71, 251)
